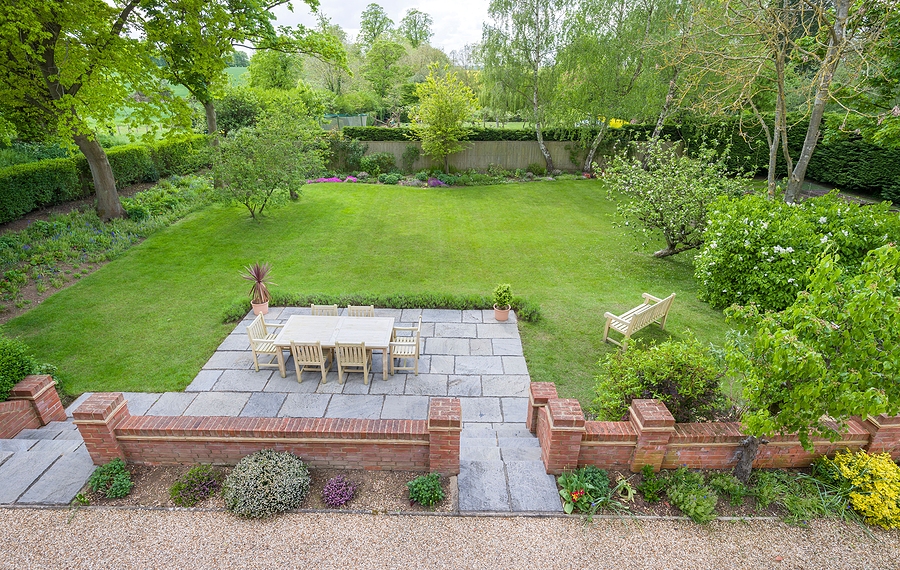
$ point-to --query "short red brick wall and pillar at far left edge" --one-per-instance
(32, 403)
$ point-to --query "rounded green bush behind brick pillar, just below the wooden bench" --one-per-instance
(685, 375)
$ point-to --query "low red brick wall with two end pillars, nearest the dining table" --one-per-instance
(110, 431)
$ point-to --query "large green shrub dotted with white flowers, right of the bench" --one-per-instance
(762, 251)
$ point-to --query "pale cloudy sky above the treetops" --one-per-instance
(456, 22)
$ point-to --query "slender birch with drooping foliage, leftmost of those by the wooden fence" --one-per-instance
(523, 41)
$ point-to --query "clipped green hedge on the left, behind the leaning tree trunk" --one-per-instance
(26, 187)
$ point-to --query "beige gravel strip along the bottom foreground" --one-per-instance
(106, 538)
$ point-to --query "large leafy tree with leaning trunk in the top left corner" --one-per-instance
(68, 67)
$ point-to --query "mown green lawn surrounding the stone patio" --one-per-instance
(150, 319)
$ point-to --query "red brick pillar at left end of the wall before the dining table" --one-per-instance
(97, 418)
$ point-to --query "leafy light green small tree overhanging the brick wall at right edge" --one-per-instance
(832, 353)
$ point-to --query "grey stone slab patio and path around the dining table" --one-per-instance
(466, 354)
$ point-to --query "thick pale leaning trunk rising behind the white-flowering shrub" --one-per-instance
(829, 65)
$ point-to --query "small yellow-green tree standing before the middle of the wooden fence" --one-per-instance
(445, 103)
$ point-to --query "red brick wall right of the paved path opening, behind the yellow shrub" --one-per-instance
(651, 437)
